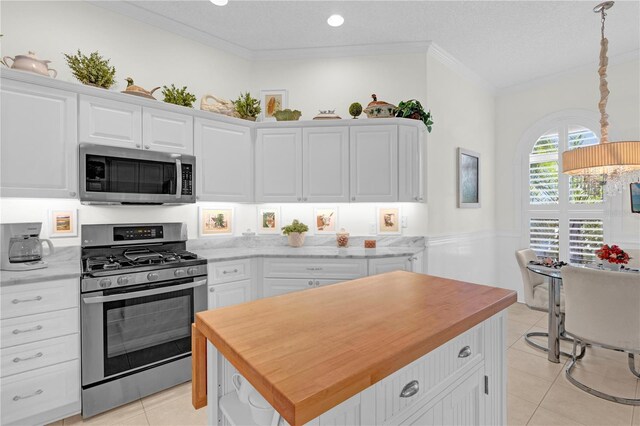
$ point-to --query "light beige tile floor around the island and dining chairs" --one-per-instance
(538, 392)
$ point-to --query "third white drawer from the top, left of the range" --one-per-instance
(21, 358)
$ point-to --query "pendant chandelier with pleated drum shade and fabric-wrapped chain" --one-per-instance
(617, 162)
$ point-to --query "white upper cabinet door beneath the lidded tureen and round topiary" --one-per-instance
(374, 163)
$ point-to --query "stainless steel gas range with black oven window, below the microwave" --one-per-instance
(140, 289)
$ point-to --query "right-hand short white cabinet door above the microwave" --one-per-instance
(167, 131)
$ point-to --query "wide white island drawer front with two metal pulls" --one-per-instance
(429, 375)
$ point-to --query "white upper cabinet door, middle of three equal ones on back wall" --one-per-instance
(325, 153)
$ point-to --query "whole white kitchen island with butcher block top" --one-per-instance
(392, 348)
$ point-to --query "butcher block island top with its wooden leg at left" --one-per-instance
(306, 352)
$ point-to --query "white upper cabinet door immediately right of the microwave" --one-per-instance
(224, 161)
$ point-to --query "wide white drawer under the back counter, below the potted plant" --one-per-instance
(293, 267)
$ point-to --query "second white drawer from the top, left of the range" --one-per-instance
(17, 331)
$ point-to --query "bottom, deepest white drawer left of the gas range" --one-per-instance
(34, 392)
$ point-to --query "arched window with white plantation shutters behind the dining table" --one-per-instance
(565, 214)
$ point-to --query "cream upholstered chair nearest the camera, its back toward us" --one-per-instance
(602, 309)
